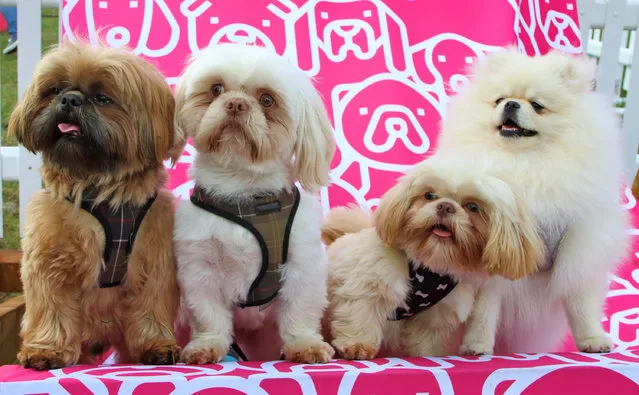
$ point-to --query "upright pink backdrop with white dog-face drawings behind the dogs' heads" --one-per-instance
(385, 68)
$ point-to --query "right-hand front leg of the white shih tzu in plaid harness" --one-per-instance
(302, 301)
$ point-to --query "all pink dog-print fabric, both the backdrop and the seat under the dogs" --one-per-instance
(386, 70)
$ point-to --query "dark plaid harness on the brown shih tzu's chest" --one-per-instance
(120, 226)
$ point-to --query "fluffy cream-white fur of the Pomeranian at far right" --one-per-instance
(569, 176)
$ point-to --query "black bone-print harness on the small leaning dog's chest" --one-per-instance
(426, 289)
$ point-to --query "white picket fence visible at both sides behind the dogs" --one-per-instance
(608, 30)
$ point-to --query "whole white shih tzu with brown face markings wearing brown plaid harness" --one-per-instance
(250, 260)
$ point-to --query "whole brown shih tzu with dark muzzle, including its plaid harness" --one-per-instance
(98, 266)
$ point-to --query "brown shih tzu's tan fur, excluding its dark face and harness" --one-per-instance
(66, 312)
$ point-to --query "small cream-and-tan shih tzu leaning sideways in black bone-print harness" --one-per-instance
(403, 281)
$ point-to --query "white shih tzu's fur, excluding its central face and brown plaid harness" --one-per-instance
(217, 259)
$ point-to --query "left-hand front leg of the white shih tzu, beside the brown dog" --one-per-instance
(209, 310)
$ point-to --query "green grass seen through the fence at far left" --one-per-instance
(8, 79)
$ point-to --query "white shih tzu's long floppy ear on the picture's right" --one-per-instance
(315, 145)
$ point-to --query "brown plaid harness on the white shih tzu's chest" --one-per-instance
(269, 218)
